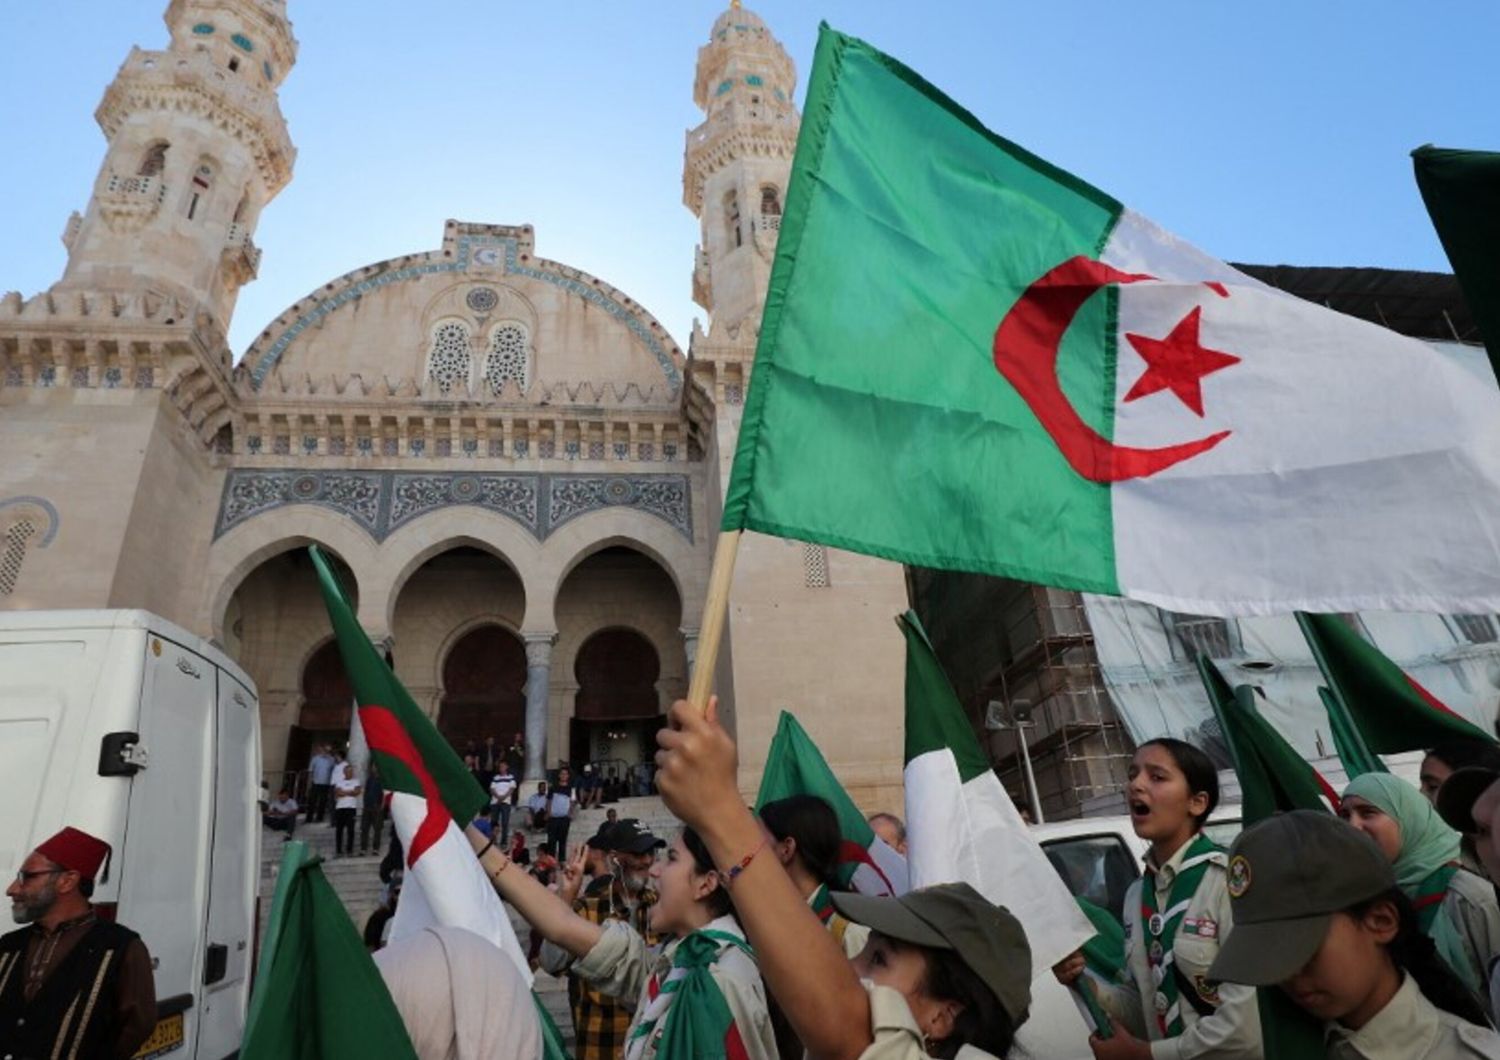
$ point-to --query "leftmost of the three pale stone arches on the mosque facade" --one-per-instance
(250, 545)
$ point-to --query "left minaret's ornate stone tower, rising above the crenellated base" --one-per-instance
(197, 149)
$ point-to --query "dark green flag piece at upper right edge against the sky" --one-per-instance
(1462, 191)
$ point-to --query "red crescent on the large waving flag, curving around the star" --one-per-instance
(1027, 355)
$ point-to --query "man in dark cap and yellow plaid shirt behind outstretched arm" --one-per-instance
(622, 858)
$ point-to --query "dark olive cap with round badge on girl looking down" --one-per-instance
(1288, 876)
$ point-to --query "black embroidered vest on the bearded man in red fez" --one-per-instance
(73, 1014)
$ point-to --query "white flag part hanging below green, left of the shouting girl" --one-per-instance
(971, 833)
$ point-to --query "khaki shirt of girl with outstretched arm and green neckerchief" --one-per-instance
(622, 965)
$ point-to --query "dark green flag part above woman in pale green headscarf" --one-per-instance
(1391, 710)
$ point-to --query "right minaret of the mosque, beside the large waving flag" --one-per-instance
(736, 167)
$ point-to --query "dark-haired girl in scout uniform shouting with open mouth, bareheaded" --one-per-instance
(1177, 918)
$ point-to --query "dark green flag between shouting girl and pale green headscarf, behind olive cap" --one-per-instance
(1273, 779)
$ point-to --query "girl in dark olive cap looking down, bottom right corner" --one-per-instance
(1318, 914)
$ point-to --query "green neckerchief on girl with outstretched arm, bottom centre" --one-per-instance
(704, 1025)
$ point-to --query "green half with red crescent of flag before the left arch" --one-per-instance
(412, 755)
